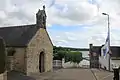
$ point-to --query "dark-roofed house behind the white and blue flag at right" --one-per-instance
(95, 53)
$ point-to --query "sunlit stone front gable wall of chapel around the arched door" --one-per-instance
(39, 43)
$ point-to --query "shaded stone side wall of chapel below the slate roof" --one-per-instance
(17, 61)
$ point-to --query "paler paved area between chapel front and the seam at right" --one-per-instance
(66, 74)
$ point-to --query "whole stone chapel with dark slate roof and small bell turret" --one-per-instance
(30, 49)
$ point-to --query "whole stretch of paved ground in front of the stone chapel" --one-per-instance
(65, 74)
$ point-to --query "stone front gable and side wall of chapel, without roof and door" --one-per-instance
(27, 59)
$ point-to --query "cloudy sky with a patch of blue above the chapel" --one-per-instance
(70, 23)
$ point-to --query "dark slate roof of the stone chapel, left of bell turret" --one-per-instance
(18, 36)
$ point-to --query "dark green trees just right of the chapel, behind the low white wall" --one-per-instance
(69, 54)
